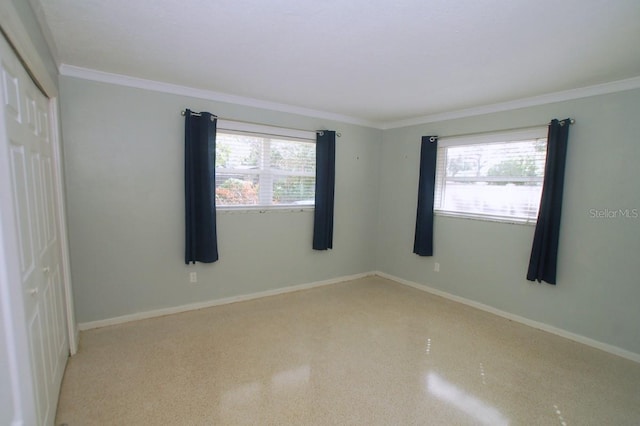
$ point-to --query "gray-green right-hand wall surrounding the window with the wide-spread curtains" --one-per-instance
(598, 291)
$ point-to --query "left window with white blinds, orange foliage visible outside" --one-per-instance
(261, 166)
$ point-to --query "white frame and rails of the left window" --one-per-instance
(265, 131)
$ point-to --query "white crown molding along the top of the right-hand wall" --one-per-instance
(565, 95)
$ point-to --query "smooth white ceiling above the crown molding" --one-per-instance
(371, 60)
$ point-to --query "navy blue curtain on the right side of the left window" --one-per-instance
(325, 187)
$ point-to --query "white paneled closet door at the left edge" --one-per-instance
(29, 150)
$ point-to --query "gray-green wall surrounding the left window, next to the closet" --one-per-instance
(124, 176)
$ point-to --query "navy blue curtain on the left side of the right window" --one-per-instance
(423, 240)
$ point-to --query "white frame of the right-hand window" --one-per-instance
(520, 135)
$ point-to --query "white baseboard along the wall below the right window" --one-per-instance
(531, 323)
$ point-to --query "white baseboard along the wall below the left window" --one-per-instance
(215, 302)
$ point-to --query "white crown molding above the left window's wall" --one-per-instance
(174, 89)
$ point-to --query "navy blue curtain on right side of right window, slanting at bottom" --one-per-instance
(544, 252)
